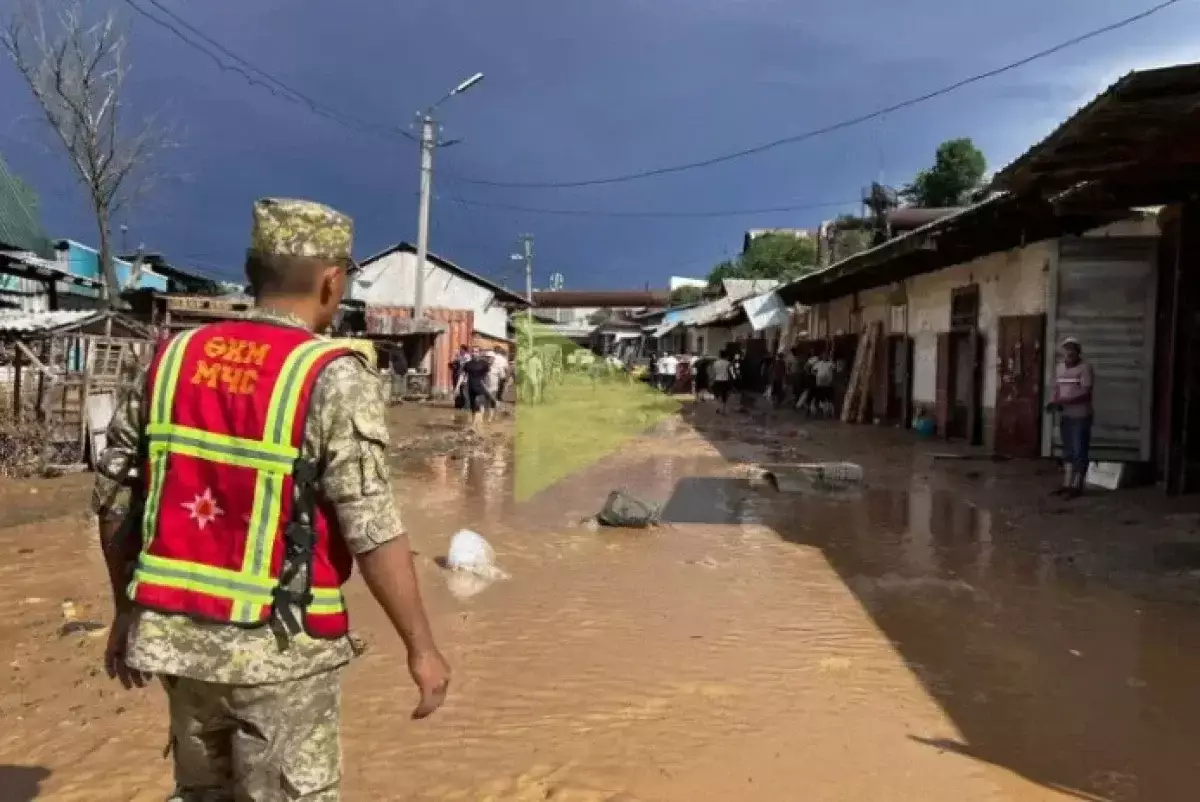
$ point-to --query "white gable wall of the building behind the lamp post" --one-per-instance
(391, 282)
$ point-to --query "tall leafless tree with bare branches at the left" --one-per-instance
(77, 71)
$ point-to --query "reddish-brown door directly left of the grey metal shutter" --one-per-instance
(1021, 350)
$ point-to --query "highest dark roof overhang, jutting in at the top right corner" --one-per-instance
(1148, 121)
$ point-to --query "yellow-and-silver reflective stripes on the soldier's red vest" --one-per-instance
(273, 459)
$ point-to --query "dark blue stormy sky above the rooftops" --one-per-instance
(579, 89)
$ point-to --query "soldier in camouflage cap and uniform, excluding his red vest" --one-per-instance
(255, 715)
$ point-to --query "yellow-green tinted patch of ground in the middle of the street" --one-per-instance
(579, 422)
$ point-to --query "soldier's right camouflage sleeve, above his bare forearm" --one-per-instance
(349, 428)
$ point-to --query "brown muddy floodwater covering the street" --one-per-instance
(904, 641)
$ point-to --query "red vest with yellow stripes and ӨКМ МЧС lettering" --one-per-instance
(227, 495)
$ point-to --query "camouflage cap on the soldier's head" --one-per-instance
(290, 228)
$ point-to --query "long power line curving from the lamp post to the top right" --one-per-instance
(829, 129)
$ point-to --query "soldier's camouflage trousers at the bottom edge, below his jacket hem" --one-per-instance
(256, 744)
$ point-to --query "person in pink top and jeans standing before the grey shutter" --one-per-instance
(1072, 399)
